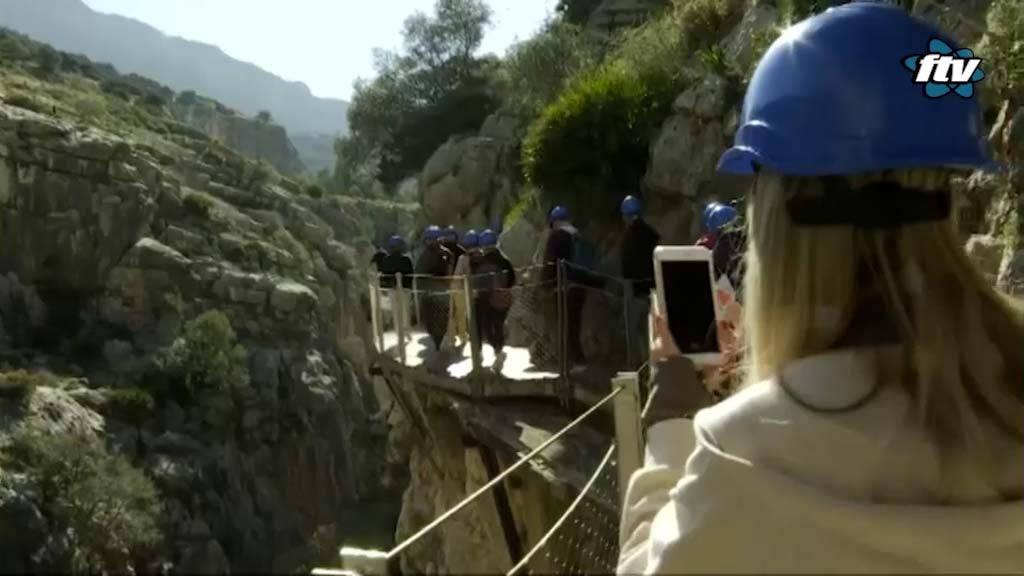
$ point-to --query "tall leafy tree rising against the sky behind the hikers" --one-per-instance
(436, 88)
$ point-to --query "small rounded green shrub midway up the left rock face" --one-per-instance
(207, 356)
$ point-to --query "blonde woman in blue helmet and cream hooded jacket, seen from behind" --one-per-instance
(883, 426)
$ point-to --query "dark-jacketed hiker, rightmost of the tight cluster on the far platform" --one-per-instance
(495, 277)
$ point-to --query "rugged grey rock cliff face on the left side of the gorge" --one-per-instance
(109, 249)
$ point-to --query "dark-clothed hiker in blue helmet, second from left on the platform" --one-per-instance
(435, 267)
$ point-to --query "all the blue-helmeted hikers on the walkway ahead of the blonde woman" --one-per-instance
(448, 259)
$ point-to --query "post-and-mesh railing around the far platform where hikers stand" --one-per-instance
(554, 320)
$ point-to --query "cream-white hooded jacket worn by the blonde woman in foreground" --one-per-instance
(759, 484)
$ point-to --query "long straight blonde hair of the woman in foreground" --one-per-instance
(963, 342)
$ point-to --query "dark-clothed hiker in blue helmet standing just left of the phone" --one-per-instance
(637, 256)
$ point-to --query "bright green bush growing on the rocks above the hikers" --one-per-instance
(590, 147)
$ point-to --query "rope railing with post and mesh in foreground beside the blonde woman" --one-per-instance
(583, 540)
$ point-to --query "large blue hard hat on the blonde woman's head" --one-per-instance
(832, 96)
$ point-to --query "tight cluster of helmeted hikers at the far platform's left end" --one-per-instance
(441, 273)
